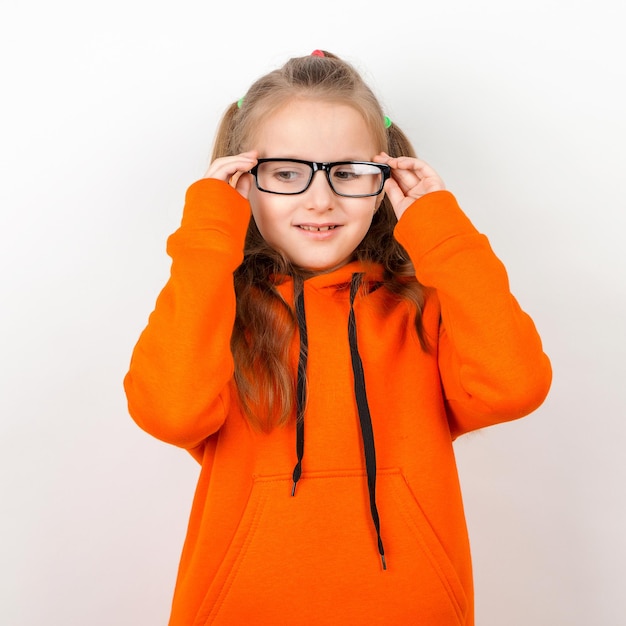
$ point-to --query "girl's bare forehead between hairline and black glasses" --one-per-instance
(315, 130)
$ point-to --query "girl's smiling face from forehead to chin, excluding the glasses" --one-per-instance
(317, 230)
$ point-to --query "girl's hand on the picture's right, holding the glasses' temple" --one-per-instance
(410, 179)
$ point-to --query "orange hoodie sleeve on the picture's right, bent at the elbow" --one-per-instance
(491, 361)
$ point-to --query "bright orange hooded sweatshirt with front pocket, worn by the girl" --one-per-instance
(255, 554)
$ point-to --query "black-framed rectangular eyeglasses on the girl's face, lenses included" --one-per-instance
(351, 179)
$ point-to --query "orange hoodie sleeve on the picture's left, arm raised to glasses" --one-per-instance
(177, 385)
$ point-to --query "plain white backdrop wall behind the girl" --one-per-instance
(107, 114)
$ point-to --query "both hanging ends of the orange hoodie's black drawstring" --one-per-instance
(365, 419)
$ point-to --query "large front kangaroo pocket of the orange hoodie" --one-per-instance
(313, 558)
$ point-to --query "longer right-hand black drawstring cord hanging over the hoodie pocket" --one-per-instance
(365, 418)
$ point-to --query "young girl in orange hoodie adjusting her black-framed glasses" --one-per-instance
(332, 323)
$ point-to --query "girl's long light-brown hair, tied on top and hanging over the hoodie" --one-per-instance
(265, 324)
